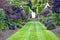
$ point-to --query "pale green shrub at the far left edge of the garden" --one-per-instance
(3, 25)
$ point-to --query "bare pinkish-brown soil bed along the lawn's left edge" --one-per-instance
(7, 33)
